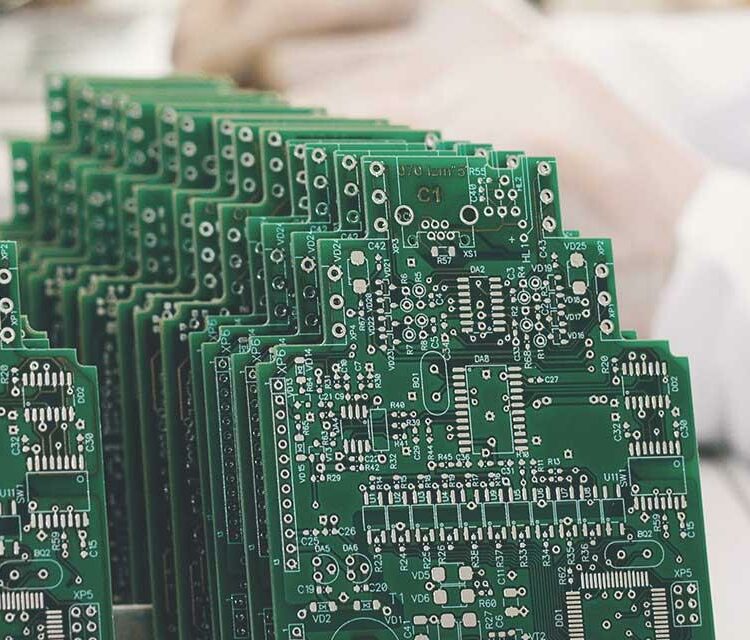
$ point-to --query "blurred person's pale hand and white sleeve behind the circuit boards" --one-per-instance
(487, 71)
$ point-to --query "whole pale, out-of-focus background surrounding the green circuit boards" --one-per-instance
(639, 99)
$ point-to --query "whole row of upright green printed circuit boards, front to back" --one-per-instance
(355, 382)
